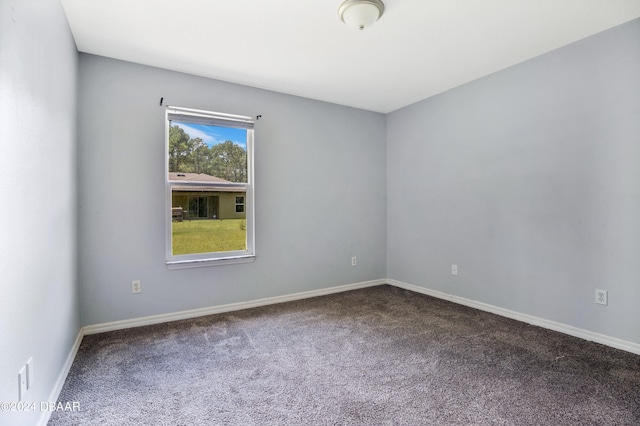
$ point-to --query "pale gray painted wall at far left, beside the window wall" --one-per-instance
(38, 289)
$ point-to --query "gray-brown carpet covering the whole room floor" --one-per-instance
(375, 356)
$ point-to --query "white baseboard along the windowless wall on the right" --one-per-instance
(529, 319)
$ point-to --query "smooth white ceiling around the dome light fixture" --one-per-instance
(418, 48)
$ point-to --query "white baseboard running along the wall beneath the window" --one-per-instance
(194, 313)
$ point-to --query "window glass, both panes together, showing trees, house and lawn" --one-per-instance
(205, 212)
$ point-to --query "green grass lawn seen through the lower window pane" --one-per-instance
(206, 236)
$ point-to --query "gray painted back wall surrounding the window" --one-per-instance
(320, 193)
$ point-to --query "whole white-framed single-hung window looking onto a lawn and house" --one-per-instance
(209, 181)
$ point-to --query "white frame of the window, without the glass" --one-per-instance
(216, 258)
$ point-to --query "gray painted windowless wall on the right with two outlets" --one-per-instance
(529, 180)
